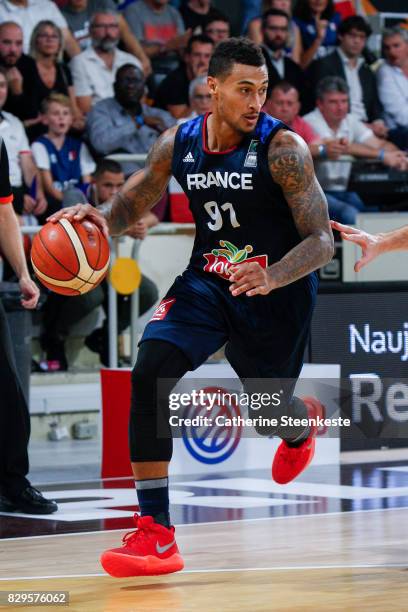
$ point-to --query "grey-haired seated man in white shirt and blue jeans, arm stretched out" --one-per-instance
(346, 135)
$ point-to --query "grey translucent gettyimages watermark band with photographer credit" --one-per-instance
(363, 406)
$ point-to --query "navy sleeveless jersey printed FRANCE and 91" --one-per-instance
(240, 213)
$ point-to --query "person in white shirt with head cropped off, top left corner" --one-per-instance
(28, 13)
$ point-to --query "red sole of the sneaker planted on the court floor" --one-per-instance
(120, 565)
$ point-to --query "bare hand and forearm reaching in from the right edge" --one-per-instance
(373, 245)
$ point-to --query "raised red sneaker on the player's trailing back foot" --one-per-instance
(290, 461)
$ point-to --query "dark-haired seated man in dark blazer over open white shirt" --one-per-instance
(348, 63)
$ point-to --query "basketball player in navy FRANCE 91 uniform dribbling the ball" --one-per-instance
(262, 229)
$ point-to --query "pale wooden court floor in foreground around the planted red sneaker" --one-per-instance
(345, 561)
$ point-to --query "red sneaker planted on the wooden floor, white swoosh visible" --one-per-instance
(148, 551)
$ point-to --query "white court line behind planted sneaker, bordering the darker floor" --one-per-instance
(248, 520)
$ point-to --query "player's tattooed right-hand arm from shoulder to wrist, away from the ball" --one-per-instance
(291, 167)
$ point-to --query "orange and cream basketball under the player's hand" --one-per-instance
(70, 257)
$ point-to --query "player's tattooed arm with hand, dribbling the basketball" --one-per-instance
(138, 195)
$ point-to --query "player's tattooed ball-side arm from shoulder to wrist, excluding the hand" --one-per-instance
(143, 189)
